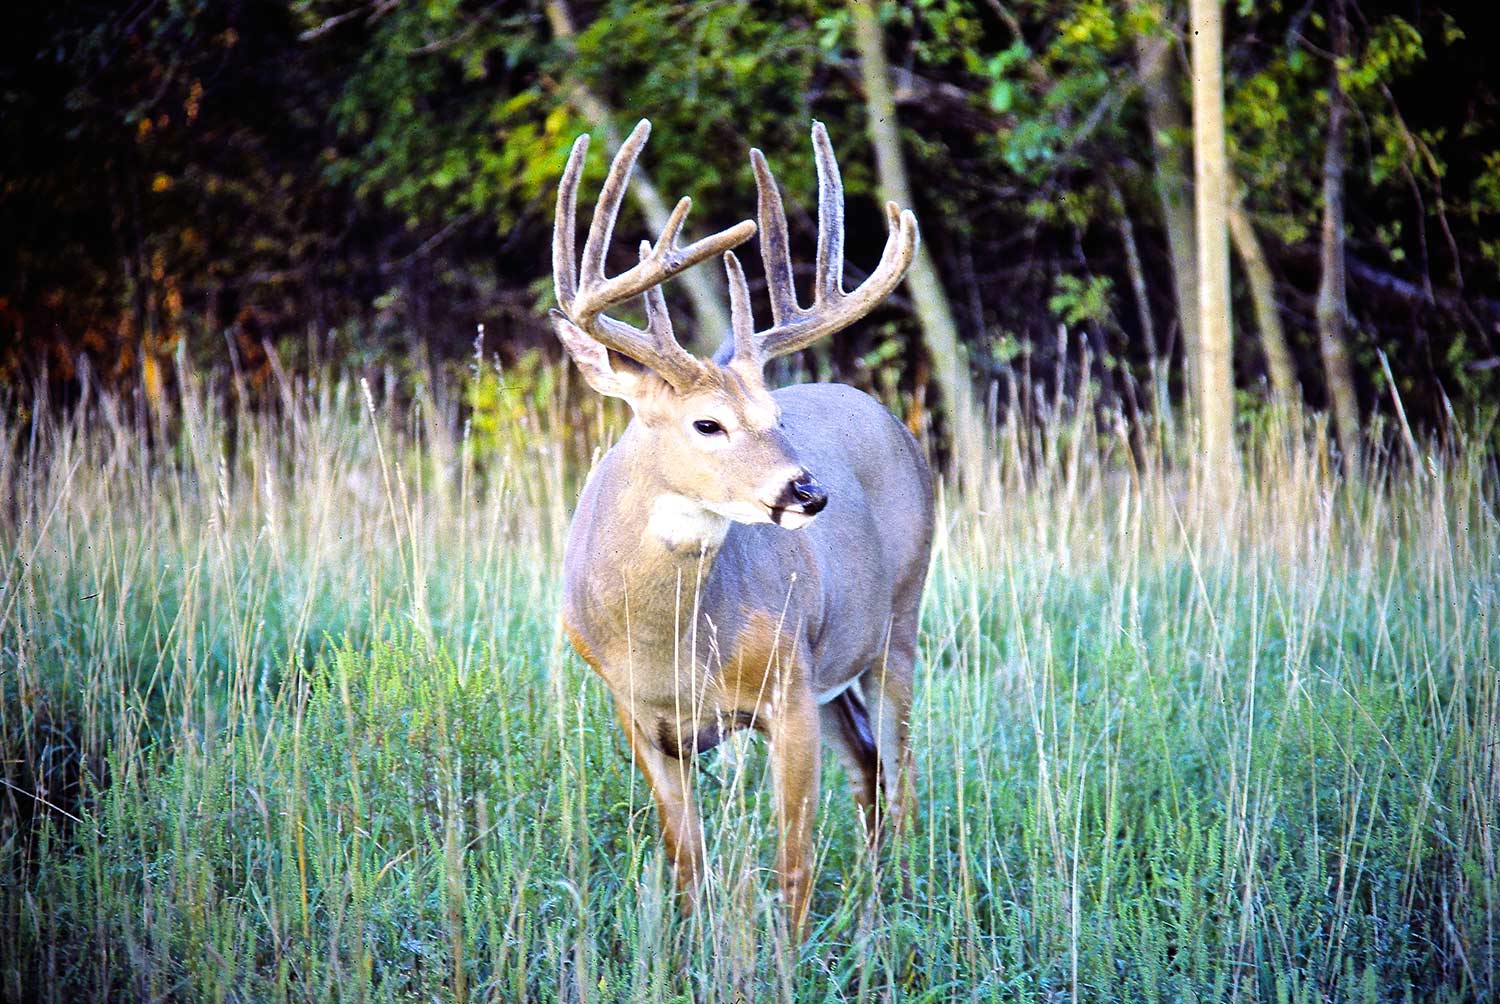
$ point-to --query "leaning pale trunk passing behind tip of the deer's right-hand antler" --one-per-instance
(934, 313)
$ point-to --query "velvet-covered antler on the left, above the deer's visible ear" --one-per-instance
(586, 296)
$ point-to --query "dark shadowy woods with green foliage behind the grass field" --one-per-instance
(211, 184)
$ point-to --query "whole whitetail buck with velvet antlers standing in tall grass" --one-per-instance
(697, 582)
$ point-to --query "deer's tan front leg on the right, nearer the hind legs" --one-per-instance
(796, 760)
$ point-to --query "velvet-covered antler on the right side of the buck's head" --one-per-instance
(794, 326)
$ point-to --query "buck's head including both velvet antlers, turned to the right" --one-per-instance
(712, 425)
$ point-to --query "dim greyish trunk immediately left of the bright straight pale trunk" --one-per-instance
(1168, 122)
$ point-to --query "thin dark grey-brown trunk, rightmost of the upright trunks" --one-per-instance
(1331, 296)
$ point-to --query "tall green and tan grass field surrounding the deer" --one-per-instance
(287, 717)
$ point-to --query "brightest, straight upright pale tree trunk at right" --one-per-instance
(1216, 382)
